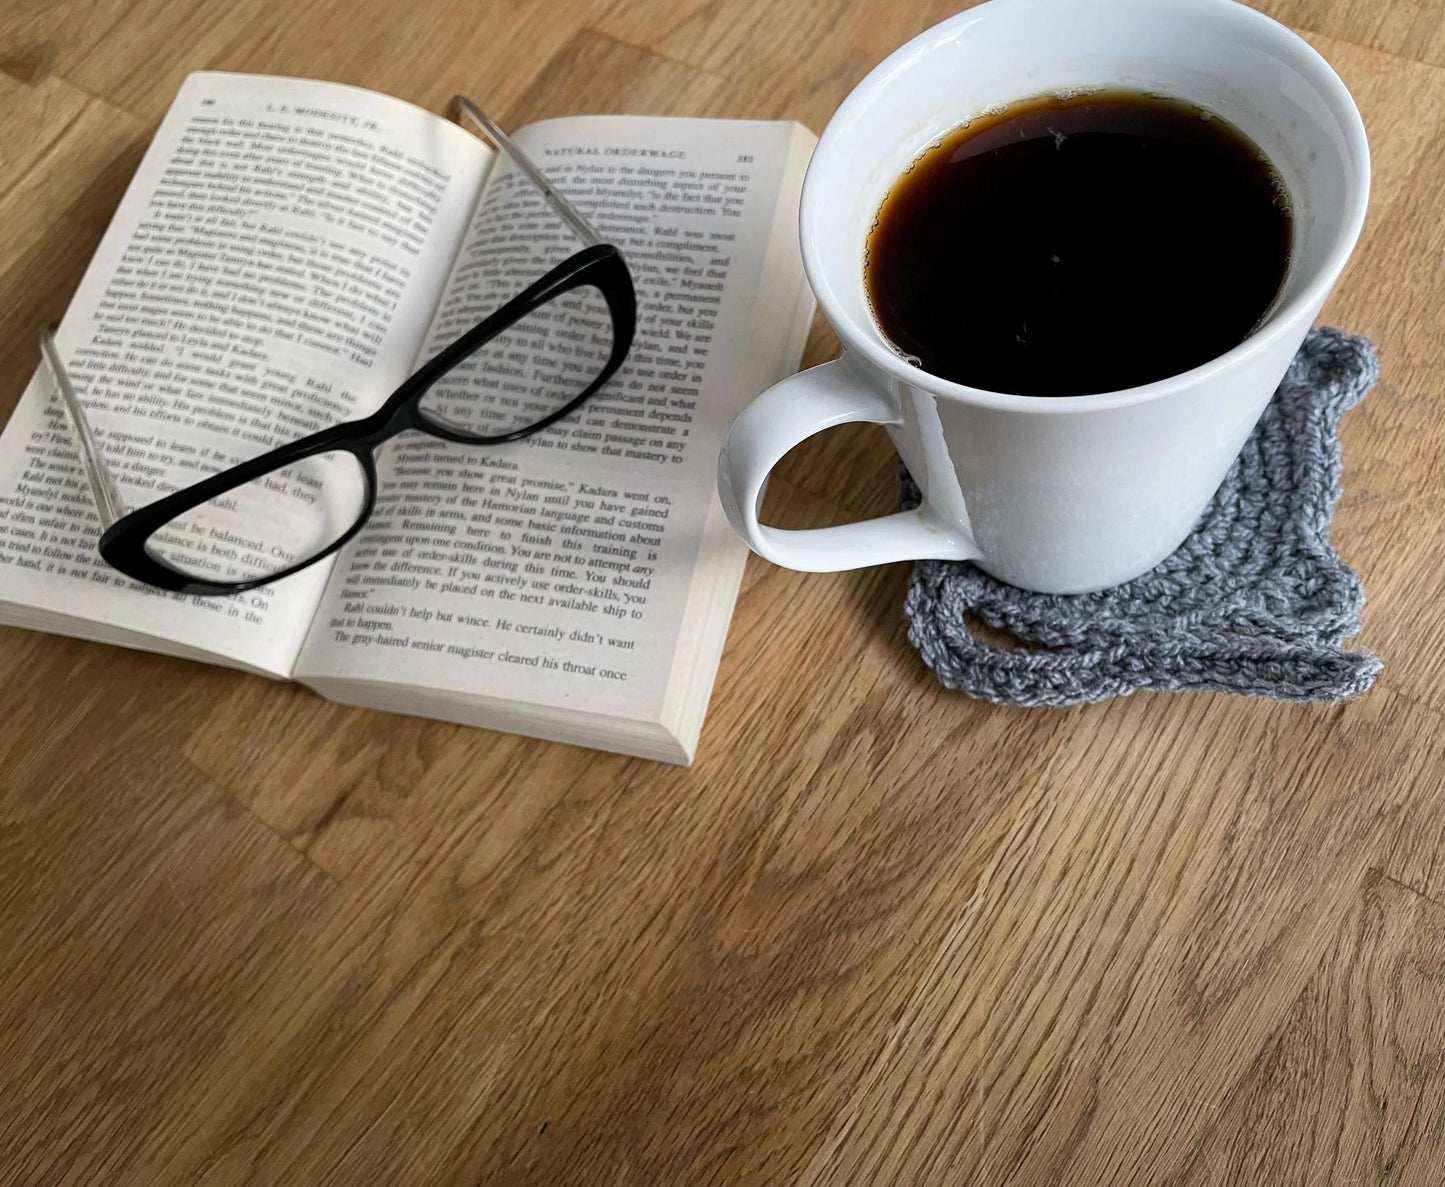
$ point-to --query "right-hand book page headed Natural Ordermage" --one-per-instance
(557, 570)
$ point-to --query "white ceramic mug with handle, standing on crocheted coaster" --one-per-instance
(1054, 495)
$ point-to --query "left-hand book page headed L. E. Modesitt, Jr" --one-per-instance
(271, 271)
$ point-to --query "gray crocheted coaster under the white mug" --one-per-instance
(1255, 602)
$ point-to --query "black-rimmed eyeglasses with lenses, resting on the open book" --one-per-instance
(527, 367)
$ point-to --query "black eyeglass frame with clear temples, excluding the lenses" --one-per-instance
(126, 533)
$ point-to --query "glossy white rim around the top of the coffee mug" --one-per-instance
(868, 340)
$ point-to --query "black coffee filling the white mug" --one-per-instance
(1083, 245)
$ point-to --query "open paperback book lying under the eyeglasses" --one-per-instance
(285, 257)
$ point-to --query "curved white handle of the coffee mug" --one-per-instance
(788, 414)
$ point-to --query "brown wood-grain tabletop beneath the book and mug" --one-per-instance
(878, 933)
